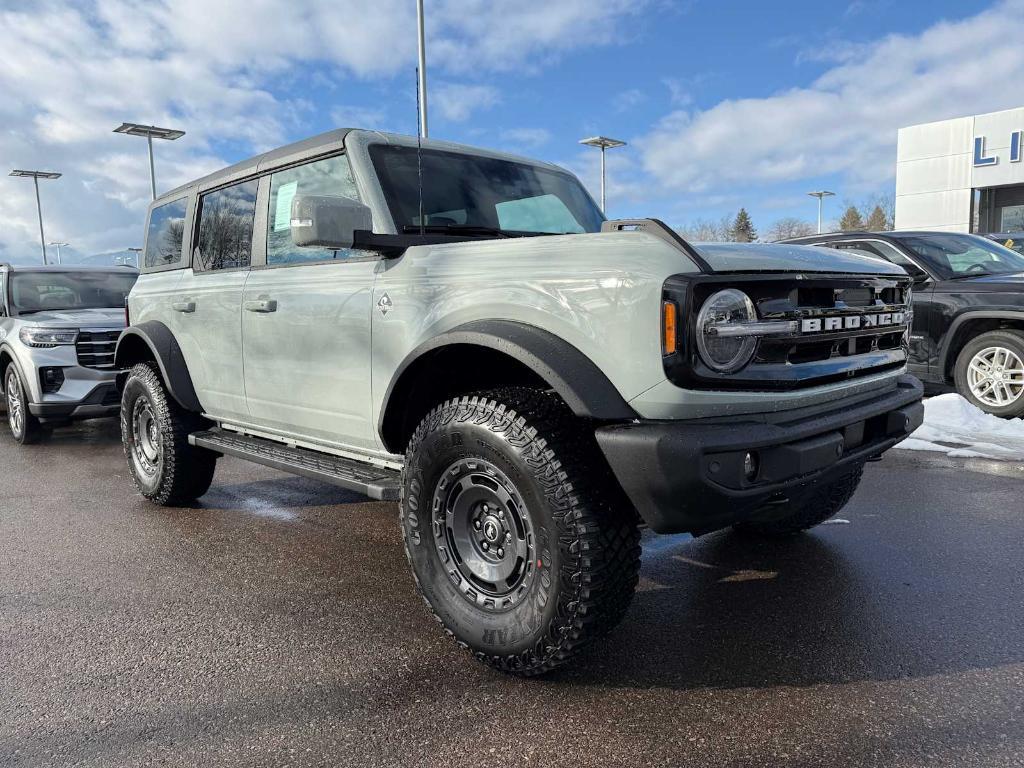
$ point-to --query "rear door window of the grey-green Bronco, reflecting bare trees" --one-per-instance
(226, 228)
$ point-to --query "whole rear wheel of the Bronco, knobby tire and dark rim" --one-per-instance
(155, 434)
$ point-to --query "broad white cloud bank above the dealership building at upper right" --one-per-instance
(846, 121)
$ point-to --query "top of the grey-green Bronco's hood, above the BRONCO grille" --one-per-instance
(780, 258)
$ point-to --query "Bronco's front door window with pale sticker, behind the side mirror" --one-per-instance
(329, 178)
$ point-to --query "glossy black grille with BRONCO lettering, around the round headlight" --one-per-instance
(838, 328)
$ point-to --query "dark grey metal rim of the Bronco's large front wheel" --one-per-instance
(484, 534)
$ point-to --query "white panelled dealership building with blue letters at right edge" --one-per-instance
(963, 176)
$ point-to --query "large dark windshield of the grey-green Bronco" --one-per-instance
(462, 193)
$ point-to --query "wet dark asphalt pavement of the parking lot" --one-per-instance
(277, 625)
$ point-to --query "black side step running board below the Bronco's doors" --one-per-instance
(377, 483)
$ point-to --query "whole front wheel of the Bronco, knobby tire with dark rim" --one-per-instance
(520, 543)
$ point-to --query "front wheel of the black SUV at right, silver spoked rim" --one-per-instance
(990, 373)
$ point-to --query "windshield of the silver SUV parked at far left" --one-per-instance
(45, 292)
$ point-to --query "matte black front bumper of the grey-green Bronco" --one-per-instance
(691, 477)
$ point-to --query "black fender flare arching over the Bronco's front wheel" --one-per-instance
(576, 378)
